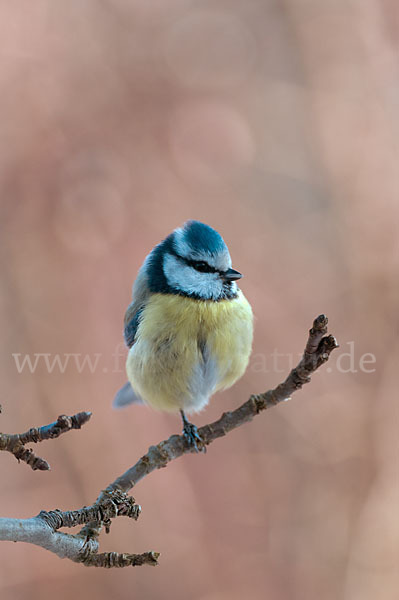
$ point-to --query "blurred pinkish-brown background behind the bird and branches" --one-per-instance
(276, 122)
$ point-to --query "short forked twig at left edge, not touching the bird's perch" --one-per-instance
(15, 443)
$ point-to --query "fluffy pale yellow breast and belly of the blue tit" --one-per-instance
(187, 349)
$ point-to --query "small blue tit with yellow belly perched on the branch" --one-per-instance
(189, 328)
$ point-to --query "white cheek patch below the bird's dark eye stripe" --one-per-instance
(187, 279)
